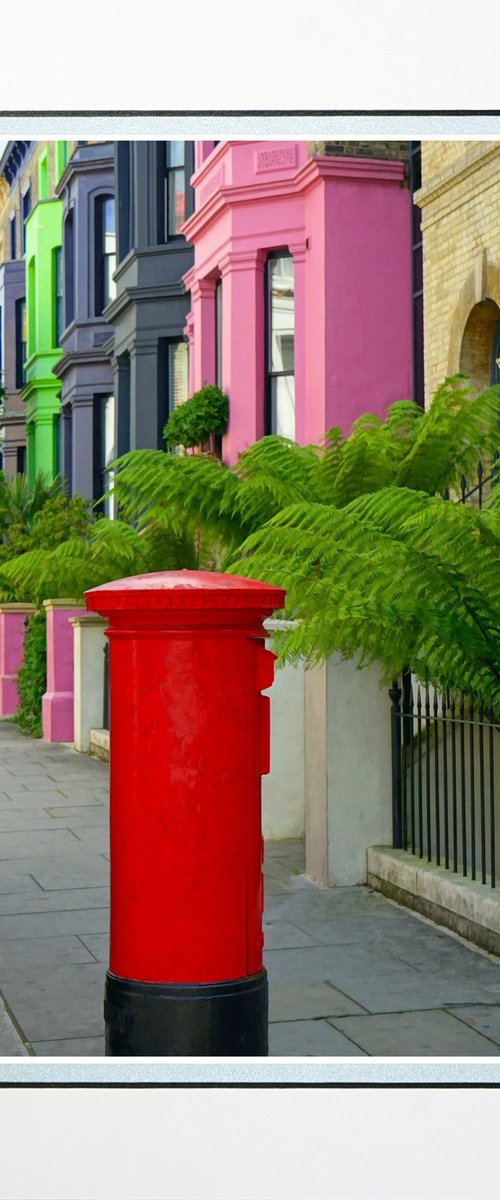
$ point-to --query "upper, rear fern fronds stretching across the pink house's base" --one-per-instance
(427, 452)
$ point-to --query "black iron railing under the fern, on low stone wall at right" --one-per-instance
(445, 766)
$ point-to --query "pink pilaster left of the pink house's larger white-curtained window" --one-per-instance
(243, 359)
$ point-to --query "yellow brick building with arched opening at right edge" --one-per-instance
(460, 200)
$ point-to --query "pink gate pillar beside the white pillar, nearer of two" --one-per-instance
(58, 723)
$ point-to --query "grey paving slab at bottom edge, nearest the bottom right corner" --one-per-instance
(415, 1034)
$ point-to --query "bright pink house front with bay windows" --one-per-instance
(302, 290)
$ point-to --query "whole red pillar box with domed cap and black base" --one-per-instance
(190, 737)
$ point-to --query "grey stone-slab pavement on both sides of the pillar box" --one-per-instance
(351, 973)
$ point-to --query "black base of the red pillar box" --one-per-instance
(222, 1019)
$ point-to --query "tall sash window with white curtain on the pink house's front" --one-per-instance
(280, 350)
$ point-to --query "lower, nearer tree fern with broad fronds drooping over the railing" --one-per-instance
(396, 577)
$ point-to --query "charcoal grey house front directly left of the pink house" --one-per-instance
(149, 350)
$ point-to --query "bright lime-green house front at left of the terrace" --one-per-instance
(44, 328)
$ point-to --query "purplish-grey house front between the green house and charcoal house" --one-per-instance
(89, 259)
